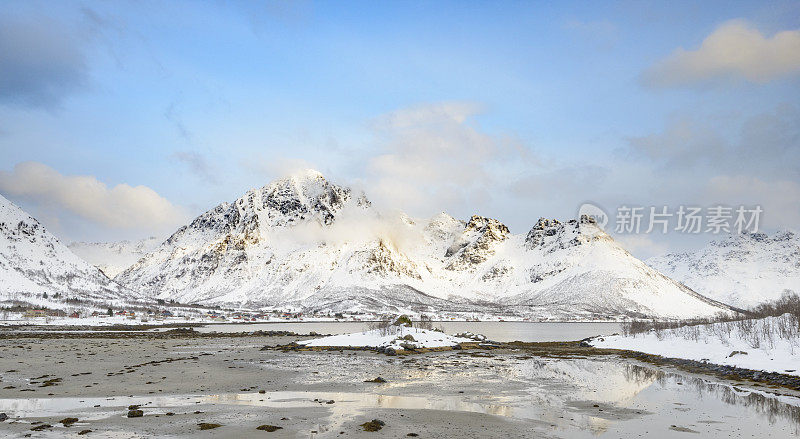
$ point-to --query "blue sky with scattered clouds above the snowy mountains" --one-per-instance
(548, 105)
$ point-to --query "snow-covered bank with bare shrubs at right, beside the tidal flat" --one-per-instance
(771, 344)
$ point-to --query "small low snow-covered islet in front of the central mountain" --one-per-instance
(396, 337)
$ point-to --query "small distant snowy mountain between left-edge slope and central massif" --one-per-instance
(114, 257)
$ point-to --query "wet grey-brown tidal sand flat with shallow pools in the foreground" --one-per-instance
(232, 382)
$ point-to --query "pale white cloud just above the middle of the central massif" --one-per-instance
(433, 158)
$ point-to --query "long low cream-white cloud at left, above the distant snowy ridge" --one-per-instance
(119, 207)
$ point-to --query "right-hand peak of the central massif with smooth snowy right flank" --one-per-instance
(576, 268)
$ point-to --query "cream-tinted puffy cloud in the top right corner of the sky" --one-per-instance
(734, 50)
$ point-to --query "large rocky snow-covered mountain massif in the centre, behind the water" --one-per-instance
(307, 243)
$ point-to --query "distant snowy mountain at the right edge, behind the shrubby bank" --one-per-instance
(741, 270)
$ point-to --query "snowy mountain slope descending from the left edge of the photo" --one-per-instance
(33, 262)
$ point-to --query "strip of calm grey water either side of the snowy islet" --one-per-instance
(497, 331)
